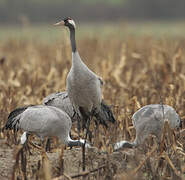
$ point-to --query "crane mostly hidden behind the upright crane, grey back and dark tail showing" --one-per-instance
(62, 101)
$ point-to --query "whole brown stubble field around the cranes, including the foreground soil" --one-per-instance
(136, 71)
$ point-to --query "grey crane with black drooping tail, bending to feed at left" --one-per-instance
(43, 121)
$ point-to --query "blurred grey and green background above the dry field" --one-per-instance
(153, 17)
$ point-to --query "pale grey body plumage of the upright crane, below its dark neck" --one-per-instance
(83, 87)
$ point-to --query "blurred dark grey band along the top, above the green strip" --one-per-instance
(14, 11)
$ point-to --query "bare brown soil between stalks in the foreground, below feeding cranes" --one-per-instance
(72, 160)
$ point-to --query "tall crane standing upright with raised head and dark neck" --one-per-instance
(83, 85)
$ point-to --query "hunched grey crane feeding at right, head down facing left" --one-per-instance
(149, 120)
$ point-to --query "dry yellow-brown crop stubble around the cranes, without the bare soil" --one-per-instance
(136, 72)
